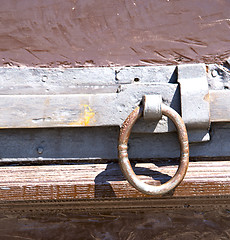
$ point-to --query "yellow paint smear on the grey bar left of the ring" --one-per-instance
(86, 118)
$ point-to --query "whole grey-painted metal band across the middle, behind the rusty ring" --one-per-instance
(94, 102)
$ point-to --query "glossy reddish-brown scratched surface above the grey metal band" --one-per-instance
(75, 33)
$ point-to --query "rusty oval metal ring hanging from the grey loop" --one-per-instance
(125, 163)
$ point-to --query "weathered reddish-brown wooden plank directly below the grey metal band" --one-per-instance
(105, 181)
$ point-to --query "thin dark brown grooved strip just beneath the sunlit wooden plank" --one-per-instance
(108, 205)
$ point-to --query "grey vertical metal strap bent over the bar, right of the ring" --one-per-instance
(195, 108)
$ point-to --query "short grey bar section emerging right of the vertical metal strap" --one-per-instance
(219, 105)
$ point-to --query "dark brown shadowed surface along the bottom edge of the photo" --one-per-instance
(177, 224)
